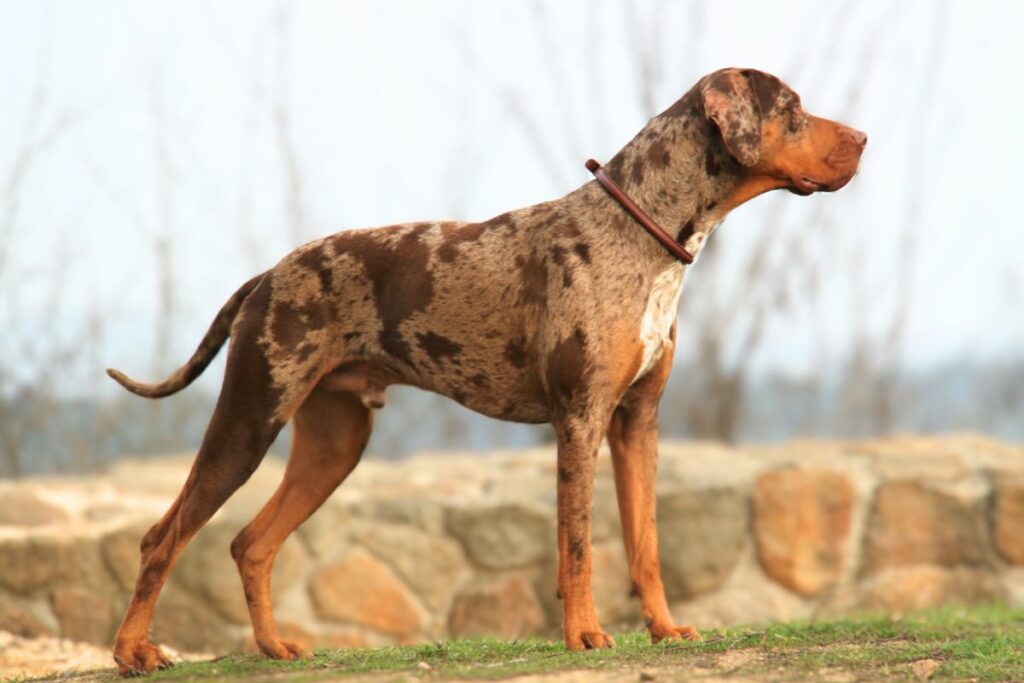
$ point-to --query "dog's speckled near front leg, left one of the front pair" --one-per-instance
(578, 444)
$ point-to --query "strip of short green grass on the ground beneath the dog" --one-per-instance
(980, 644)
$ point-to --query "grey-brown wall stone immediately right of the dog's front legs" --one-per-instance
(702, 535)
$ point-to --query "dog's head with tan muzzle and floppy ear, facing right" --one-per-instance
(778, 144)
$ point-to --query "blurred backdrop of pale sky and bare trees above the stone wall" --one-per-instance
(154, 156)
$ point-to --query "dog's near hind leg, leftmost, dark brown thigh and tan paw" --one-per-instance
(247, 418)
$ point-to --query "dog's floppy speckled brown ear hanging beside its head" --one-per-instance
(731, 103)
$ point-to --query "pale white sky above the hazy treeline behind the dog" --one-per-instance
(165, 118)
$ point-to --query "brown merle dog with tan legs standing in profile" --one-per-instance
(563, 313)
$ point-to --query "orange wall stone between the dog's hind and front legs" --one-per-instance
(361, 590)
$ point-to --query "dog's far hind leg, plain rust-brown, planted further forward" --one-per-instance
(331, 431)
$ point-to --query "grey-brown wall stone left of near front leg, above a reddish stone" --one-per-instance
(504, 536)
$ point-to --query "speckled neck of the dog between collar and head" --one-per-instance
(677, 170)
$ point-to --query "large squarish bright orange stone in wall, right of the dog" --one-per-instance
(801, 527)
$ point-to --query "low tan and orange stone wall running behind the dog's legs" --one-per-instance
(464, 545)
